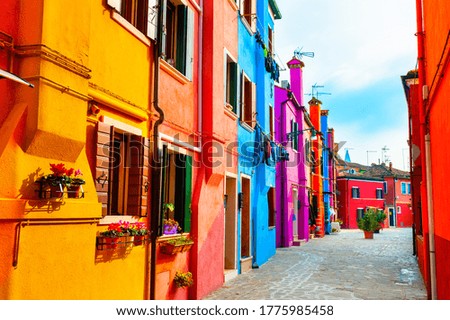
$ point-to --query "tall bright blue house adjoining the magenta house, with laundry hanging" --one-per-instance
(256, 171)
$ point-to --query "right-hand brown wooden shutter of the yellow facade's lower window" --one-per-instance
(138, 176)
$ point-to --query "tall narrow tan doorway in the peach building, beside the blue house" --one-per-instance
(230, 206)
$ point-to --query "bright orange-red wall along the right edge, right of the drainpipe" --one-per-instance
(436, 27)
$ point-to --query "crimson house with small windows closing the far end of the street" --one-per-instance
(357, 193)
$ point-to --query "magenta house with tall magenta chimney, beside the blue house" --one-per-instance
(291, 179)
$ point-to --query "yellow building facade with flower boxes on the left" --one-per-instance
(92, 71)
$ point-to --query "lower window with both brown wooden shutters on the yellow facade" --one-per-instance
(122, 171)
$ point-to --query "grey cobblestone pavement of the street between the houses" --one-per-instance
(337, 267)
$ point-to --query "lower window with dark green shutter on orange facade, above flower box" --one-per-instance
(177, 186)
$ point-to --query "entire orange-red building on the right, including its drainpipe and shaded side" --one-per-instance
(427, 95)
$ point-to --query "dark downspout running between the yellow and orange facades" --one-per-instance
(156, 160)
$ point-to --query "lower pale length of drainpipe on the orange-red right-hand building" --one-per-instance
(430, 218)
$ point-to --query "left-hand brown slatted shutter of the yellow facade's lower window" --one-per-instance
(102, 172)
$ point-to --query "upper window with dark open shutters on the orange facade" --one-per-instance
(177, 42)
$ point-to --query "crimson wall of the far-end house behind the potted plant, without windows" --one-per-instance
(347, 206)
